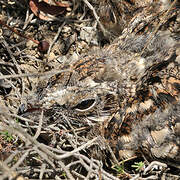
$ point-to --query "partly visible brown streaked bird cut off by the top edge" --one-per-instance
(115, 15)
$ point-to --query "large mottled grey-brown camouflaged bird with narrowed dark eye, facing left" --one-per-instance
(131, 88)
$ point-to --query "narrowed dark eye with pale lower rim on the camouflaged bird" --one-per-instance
(85, 105)
